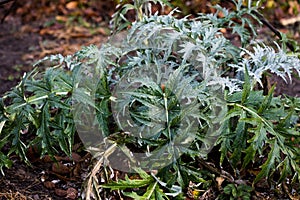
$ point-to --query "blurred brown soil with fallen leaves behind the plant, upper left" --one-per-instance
(34, 29)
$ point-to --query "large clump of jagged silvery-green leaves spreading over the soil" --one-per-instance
(258, 130)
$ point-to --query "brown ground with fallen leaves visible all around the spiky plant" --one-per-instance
(27, 36)
